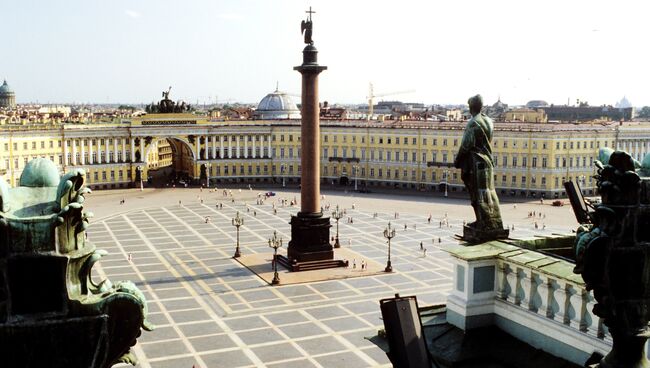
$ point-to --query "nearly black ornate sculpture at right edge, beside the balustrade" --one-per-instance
(612, 256)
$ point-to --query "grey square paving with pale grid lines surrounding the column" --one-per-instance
(210, 311)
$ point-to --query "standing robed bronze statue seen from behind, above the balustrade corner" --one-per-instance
(474, 158)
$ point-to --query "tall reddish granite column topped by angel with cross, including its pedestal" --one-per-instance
(310, 229)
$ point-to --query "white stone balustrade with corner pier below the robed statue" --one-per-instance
(533, 295)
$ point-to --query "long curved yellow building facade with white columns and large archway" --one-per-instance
(532, 160)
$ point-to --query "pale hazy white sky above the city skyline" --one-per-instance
(236, 50)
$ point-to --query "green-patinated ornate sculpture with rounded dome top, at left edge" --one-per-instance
(52, 313)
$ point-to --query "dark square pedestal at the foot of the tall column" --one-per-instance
(310, 239)
